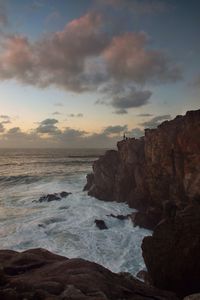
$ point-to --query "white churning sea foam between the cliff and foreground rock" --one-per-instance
(67, 227)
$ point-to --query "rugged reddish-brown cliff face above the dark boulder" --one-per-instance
(148, 172)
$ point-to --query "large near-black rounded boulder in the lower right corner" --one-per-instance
(171, 254)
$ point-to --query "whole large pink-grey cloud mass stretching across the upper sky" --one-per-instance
(82, 56)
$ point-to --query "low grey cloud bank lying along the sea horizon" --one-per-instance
(48, 135)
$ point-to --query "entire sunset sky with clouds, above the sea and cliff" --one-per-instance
(80, 73)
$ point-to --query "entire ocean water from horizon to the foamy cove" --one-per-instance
(65, 227)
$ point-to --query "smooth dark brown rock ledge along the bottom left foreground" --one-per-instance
(40, 275)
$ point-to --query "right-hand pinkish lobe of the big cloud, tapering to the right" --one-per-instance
(128, 59)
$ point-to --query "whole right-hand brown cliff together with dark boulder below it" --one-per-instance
(159, 174)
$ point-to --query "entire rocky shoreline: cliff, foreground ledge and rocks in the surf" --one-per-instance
(159, 175)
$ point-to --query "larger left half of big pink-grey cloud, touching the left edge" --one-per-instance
(67, 52)
